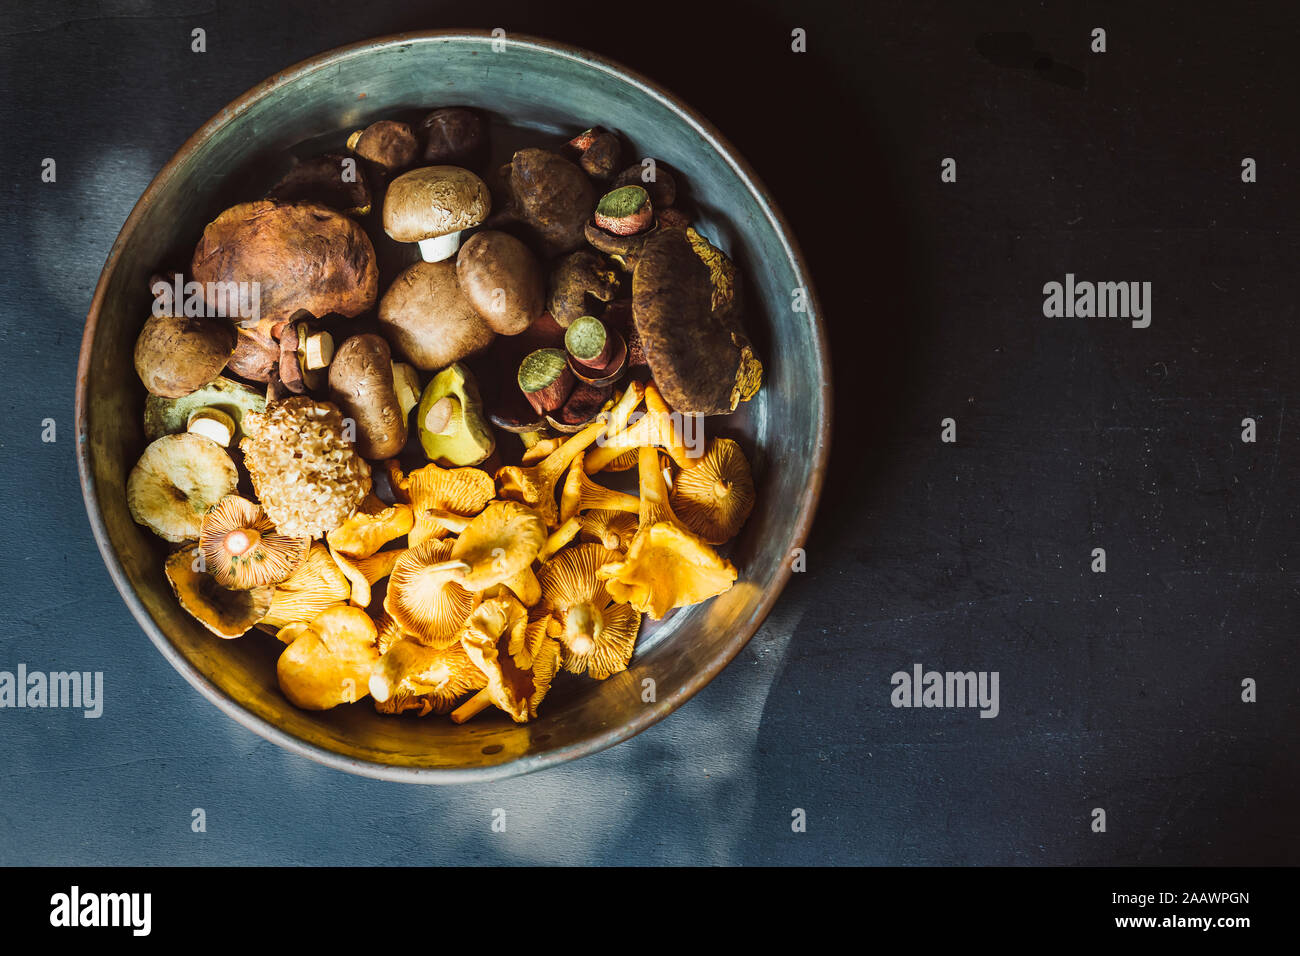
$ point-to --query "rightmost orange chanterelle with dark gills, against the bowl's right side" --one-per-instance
(716, 496)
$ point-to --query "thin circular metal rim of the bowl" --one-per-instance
(530, 763)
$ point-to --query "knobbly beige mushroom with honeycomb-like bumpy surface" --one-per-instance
(307, 475)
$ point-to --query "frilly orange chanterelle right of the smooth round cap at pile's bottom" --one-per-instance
(411, 677)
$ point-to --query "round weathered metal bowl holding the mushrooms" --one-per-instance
(549, 89)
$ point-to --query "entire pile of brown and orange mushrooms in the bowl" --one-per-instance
(426, 563)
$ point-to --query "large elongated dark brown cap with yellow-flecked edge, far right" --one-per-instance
(699, 358)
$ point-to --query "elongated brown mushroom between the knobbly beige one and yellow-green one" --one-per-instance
(361, 384)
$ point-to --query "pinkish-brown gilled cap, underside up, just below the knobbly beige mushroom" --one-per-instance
(242, 548)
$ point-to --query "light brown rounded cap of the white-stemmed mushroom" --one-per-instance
(435, 201)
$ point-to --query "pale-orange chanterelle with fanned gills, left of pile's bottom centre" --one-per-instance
(424, 598)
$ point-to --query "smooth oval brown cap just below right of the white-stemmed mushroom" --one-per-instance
(502, 280)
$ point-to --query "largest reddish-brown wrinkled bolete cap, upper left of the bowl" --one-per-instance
(300, 257)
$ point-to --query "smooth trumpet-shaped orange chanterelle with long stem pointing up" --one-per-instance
(668, 565)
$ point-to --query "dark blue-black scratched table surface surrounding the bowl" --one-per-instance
(1120, 691)
